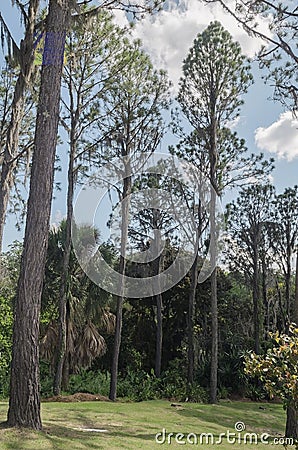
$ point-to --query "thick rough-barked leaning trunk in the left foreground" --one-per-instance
(24, 402)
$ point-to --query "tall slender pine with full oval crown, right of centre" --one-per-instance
(215, 75)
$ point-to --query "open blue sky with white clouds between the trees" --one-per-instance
(265, 125)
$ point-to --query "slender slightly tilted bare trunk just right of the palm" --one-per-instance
(120, 299)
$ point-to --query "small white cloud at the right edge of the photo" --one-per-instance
(281, 137)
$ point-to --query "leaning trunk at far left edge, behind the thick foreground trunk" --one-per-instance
(17, 112)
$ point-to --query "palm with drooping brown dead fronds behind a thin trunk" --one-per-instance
(87, 310)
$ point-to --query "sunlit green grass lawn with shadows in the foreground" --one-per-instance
(134, 425)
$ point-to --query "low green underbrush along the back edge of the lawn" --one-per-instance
(138, 385)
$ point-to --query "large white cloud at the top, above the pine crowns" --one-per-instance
(168, 35)
